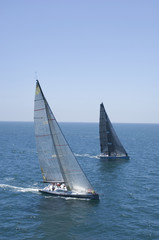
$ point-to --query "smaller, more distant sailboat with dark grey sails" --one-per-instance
(110, 145)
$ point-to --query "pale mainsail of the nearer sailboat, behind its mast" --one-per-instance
(46, 152)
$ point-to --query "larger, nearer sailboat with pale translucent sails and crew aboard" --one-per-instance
(59, 167)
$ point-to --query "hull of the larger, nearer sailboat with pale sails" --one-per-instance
(71, 194)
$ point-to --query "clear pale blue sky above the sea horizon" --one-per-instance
(85, 52)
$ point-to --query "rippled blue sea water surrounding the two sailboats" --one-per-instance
(129, 191)
